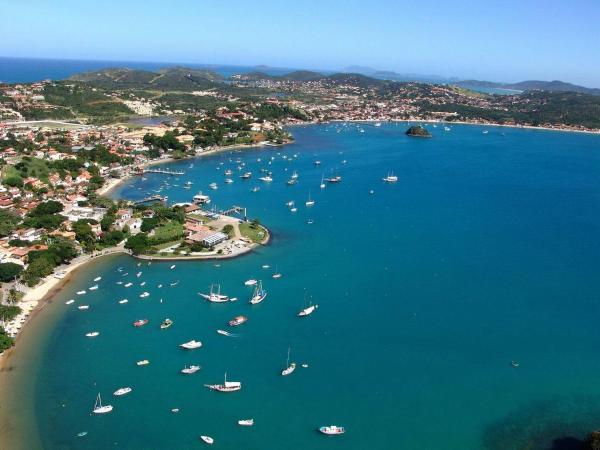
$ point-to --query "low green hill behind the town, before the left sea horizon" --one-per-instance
(176, 78)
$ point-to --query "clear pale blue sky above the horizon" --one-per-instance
(510, 40)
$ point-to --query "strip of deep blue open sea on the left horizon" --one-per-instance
(24, 70)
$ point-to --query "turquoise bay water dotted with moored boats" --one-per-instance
(486, 251)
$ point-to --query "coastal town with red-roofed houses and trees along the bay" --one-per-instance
(65, 144)
